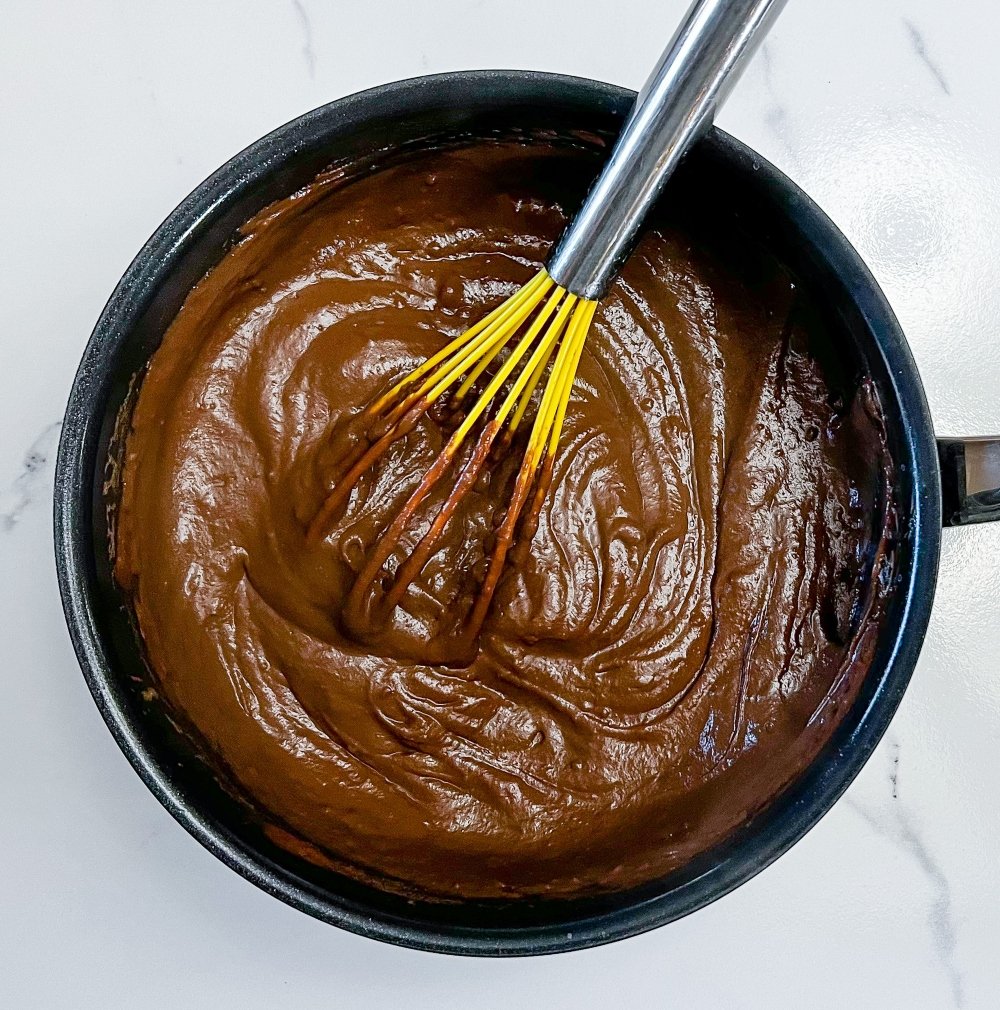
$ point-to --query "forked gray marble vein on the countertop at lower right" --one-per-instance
(899, 829)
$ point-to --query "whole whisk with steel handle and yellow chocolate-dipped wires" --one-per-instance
(537, 337)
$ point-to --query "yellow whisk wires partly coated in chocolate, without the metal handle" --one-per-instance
(557, 325)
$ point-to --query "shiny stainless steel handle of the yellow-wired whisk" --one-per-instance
(698, 69)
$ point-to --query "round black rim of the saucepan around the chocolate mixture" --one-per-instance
(804, 803)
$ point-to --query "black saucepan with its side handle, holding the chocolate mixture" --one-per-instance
(195, 237)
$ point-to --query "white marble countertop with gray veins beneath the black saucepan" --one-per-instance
(885, 112)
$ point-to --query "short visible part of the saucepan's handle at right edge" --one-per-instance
(970, 480)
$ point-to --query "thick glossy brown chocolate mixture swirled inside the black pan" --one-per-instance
(675, 641)
